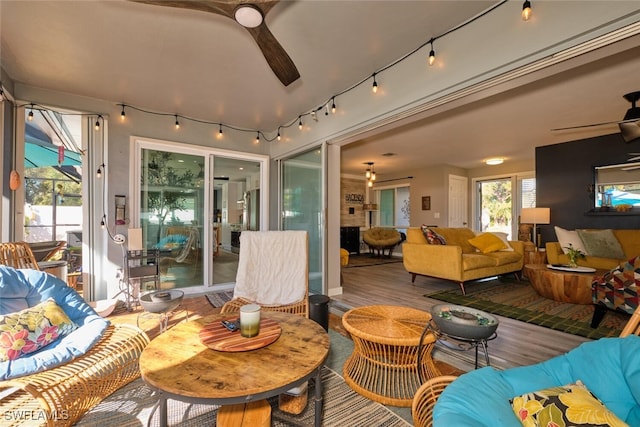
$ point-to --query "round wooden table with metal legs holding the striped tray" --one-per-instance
(179, 366)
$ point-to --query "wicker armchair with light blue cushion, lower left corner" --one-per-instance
(59, 395)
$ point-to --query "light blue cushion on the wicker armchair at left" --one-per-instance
(21, 289)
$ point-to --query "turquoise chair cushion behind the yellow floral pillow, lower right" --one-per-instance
(609, 368)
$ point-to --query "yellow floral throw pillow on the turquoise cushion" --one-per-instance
(568, 405)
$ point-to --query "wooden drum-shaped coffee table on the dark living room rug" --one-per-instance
(562, 286)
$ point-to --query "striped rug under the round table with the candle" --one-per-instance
(133, 405)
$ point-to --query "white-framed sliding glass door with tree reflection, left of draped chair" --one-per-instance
(192, 203)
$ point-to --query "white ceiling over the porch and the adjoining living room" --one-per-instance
(206, 66)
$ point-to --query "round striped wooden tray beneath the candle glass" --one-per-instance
(217, 337)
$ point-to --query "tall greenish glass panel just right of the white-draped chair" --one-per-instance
(301, 202)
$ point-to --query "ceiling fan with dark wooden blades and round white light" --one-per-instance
(249, 14)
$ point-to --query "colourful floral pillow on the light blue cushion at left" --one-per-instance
(31, 329)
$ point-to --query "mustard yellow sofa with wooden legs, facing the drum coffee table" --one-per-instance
(458, 260)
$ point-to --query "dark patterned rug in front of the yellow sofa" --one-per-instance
(518, 300)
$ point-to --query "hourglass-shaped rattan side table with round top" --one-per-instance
(384, 363)
